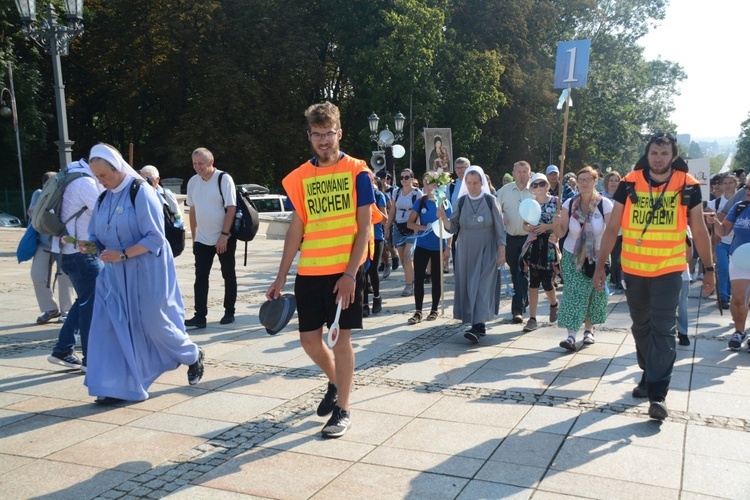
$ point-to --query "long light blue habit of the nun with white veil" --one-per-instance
(137, 330)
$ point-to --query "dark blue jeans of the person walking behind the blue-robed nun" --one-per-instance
(82, 269)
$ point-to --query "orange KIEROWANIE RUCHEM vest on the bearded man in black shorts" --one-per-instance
(325, 198)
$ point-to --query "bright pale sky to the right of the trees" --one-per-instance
(710, 41)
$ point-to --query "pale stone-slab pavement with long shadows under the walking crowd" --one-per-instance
(433, 417)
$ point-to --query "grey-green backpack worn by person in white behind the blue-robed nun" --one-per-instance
(46, 217)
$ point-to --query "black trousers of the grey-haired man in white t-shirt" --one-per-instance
(204, 259)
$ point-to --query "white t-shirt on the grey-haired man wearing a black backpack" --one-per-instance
(210, 208)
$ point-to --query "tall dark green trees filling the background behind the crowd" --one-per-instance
(236, 75)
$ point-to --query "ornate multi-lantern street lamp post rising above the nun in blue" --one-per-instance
(55, 38)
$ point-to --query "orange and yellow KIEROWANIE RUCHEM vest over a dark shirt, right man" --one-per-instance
(661, 249)
